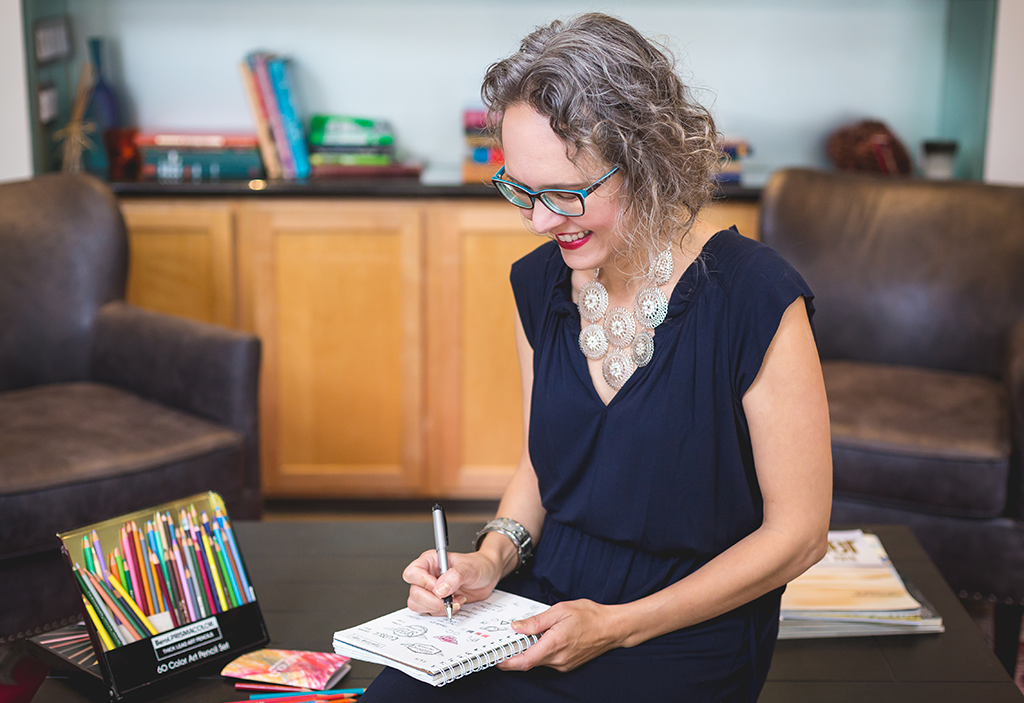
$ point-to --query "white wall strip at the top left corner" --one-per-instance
(16, 153)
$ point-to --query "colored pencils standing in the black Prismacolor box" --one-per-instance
(162, 576)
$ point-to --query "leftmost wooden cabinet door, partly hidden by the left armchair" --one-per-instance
(182, 259)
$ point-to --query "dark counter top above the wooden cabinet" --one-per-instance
(348, 188)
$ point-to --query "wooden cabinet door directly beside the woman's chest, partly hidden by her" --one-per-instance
(474, 386)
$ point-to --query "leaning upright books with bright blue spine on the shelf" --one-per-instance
(279, 129)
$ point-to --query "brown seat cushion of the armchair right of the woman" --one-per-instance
(926, 441)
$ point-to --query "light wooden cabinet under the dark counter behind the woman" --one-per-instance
(390, 364)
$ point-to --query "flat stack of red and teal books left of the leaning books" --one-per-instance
(185, 157)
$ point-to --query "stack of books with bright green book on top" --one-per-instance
(344, 147)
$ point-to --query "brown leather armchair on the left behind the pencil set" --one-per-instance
(105, 409)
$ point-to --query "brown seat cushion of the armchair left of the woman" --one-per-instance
(76, 454)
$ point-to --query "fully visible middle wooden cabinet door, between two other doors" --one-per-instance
(334, 292)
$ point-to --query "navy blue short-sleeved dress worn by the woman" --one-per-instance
(649, 489)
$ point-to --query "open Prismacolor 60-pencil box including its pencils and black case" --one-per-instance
(164, 591)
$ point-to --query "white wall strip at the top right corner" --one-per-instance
(1005, 153)
